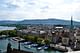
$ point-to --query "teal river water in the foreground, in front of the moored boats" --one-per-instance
(14, 44)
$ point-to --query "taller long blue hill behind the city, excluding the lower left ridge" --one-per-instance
(49, 21)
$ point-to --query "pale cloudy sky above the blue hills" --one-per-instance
(39, 9)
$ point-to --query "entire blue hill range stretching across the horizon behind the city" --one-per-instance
(43, 21)
